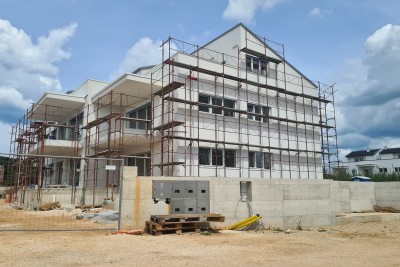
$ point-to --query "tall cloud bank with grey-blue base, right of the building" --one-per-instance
(368, 102)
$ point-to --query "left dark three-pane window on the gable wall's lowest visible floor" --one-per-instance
(217, 157)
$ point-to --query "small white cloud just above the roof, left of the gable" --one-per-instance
(145, 52)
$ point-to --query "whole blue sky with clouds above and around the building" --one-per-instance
(48, 45)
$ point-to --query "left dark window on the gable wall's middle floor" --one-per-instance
(217, 101)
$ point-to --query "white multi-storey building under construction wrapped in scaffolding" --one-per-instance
(234, 107)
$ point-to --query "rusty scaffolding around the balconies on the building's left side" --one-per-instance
(80, 149)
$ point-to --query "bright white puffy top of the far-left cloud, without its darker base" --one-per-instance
(29, 67)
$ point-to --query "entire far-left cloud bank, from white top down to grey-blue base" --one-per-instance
(28, 68)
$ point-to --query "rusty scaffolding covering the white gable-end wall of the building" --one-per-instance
(262, 114)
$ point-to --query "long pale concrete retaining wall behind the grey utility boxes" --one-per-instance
(283, 203)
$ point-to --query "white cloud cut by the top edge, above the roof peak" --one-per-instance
(244, 10)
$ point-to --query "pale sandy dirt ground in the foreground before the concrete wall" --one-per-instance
(364, 244)
